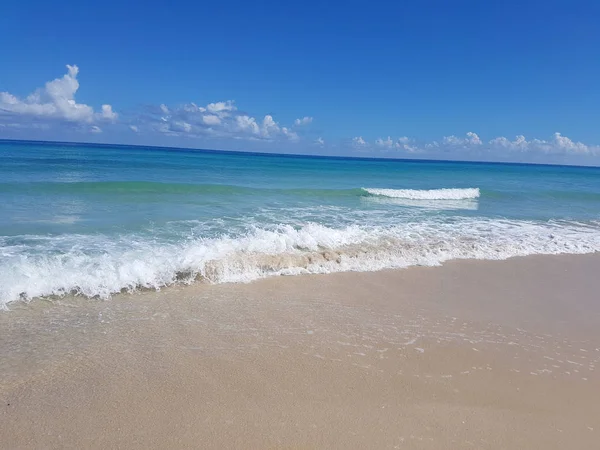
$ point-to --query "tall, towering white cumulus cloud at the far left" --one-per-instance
(53, 102)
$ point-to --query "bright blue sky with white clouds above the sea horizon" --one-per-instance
(423, 73)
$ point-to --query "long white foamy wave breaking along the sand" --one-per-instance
(98, 266)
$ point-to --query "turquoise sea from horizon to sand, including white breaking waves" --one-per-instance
(95, 220)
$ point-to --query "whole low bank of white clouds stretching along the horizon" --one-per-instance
(54, 108)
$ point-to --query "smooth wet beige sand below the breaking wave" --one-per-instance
(474, 354)
